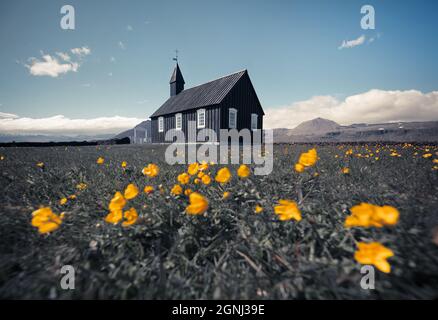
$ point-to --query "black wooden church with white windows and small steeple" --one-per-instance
(229, 102)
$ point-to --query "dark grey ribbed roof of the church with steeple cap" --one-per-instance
(207, 94)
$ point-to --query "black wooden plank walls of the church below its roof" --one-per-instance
(242, 97)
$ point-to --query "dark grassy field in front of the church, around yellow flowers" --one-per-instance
(231, 252)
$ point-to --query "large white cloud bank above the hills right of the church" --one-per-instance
(373, 106)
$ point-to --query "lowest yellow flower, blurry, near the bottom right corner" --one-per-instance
(375, 254)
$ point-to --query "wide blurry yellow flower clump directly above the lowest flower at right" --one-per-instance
(369, 215)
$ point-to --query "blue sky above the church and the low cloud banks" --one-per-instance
(290, 48)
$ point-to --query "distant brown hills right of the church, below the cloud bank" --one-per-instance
(323, 130)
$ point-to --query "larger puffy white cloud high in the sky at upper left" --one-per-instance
(50, 66)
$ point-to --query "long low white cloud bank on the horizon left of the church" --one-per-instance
(62, 125)
